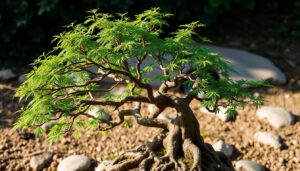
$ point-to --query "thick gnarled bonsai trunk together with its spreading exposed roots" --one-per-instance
(183, 145)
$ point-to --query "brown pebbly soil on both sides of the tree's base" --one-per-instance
(16, 149)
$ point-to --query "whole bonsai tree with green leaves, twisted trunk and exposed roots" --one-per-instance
(72, 79)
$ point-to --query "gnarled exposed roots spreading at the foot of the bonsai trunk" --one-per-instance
(147, 158)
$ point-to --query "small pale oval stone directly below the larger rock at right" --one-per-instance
(268, 138)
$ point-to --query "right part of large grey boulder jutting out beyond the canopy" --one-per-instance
(249, 66)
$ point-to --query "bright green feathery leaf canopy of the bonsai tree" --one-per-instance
(61, 85)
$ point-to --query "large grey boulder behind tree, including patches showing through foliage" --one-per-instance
(248, 66)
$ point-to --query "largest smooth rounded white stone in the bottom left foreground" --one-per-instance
(74, 163)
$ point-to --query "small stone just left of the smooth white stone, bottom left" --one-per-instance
(39, 162)
